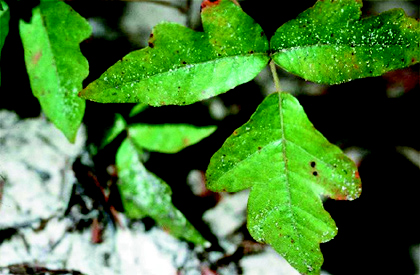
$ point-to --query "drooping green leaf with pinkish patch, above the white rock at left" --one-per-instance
(55, 65)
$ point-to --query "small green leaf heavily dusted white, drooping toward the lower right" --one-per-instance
(144, 194)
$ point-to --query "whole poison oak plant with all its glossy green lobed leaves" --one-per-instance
(288, 165)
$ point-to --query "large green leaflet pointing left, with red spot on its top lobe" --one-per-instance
(182, 66)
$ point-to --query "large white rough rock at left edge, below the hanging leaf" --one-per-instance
(35, 165)
